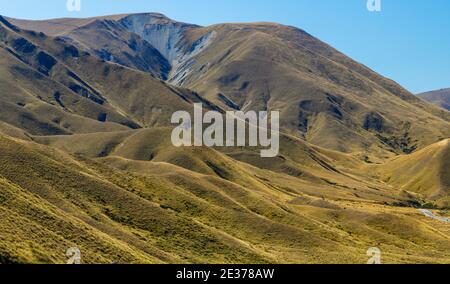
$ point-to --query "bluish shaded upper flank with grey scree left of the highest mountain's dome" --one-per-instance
(146, 42)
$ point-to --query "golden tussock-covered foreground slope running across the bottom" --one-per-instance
(143, 211)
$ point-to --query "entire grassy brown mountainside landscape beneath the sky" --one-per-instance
(87, 161)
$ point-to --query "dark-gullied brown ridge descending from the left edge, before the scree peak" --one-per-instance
(49, 86)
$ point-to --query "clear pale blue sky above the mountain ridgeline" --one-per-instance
(408, 41)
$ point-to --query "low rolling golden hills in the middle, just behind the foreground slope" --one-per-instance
(299, 168)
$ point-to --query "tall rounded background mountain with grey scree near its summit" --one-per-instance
(324, 96)
